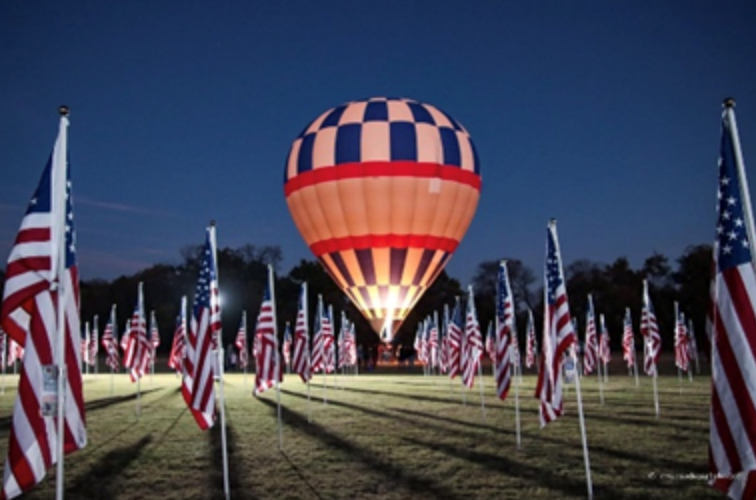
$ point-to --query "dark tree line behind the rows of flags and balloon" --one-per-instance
(242, 275)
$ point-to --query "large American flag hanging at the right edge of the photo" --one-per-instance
(732, 441)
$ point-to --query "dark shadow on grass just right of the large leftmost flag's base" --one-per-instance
(102, 479)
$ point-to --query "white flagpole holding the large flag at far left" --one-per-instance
(59, 262)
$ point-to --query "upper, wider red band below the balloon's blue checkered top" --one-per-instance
(382, 169)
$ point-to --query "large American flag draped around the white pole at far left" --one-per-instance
(44, 254)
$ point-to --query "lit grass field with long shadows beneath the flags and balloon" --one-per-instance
(385, 437)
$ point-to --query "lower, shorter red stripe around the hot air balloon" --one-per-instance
(369, 241)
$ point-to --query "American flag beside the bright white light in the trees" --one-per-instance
(198, 385)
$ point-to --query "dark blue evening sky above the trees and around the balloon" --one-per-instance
(605, 115)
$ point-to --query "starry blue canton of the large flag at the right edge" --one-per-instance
(732, 244)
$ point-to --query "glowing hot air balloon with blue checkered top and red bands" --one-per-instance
(382, 191)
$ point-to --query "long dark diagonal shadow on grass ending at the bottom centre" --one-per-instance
(397, 475)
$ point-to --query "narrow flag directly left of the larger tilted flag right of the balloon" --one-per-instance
(504, 328)
